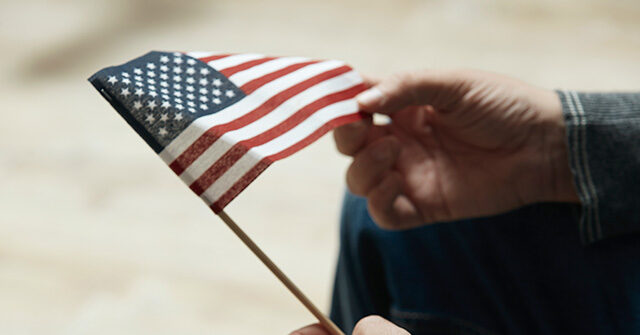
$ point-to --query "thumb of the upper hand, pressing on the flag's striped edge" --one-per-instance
(428, 87)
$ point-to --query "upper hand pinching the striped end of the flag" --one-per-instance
(460, 144)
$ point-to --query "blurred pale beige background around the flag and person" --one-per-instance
(97, 236)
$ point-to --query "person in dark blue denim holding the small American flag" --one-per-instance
(489, 206)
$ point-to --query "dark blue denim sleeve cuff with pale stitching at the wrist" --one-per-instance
(603, 138)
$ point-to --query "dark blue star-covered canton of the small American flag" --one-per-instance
(161, 93)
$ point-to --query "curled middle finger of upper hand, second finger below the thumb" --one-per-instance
(371, 164)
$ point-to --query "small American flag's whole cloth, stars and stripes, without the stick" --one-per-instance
(219, 120)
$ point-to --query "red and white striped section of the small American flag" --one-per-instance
(290, 102)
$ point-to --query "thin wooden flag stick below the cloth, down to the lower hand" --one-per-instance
(324, 320)
